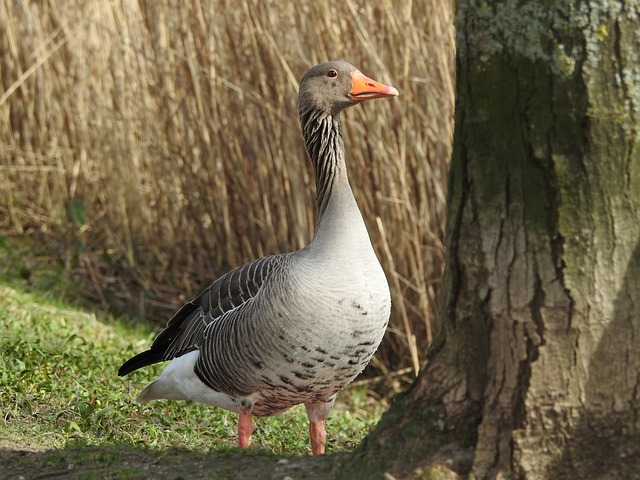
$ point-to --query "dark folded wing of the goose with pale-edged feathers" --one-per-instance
(185, 331)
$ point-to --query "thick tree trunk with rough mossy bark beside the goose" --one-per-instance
(535, 371)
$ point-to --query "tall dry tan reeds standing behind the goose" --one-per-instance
(173, 124)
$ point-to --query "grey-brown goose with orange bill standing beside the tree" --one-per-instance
(292, 328)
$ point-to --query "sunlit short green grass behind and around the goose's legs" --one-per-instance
(59, 384)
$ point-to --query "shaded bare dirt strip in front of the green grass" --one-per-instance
(24, 461)
